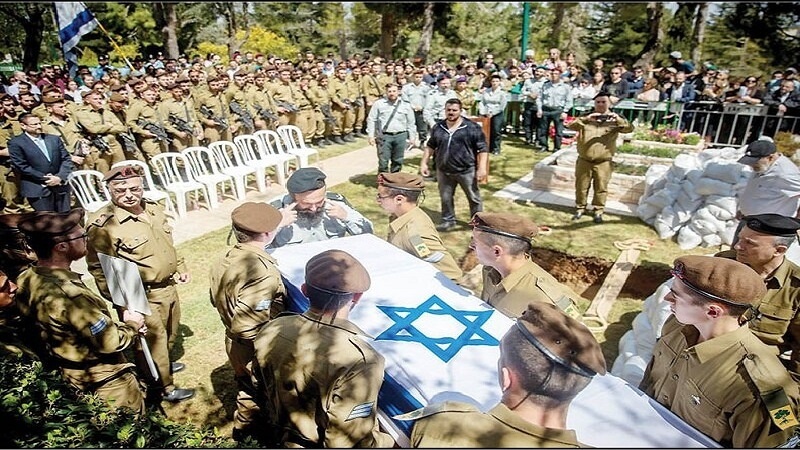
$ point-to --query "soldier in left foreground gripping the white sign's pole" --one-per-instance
(82, 338)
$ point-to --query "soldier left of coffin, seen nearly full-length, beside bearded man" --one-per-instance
(247, 290)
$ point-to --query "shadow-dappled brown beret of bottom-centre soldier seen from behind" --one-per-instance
(562, 339)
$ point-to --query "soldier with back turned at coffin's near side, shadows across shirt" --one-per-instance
(319, 376)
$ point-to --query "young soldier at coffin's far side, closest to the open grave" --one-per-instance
(502, 243)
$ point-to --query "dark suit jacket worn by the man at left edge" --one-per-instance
(27, 159)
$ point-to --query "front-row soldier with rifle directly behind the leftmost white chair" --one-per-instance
(100, 127)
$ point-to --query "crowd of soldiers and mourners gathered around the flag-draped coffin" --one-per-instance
(306, 378)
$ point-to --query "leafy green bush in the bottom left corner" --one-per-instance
(40, 410)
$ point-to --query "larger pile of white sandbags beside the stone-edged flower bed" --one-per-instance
(695, 198)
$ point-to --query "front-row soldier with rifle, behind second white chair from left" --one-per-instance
(147, 125)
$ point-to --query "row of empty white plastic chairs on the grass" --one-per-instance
(207, 171)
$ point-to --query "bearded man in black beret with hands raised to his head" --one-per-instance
(310, 213)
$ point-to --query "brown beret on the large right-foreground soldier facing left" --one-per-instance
(720, 279)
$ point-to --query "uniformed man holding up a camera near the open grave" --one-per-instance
(597, 143)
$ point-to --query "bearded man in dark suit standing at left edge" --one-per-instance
(43, 165)
